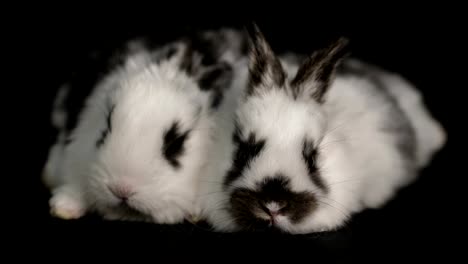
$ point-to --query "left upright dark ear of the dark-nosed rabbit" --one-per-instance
(265, 70)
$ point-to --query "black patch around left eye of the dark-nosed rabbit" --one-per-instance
(246, 151)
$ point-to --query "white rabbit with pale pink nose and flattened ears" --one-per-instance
(137, 145)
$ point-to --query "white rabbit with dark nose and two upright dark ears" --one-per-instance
(312, 144)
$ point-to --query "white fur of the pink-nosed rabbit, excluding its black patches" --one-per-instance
(148, 98)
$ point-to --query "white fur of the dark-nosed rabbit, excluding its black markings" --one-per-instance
(359, 163)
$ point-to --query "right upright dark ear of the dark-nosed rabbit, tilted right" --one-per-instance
(315, 74)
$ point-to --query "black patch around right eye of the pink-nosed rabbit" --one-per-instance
(173, 146)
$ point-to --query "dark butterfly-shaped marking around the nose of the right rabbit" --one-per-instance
(245, 204)
